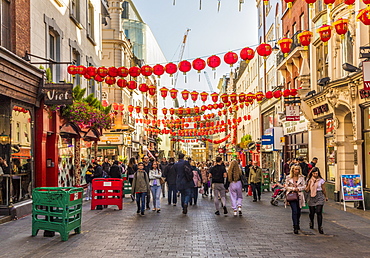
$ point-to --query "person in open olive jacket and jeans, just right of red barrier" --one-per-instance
(140, 187)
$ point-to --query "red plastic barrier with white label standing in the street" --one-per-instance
(110, 191)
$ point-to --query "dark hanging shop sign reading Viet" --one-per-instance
(58, 93)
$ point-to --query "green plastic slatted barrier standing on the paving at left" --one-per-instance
(57, 209)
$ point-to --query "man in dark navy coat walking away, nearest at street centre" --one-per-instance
(183, 185)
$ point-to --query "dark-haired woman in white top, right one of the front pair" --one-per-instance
(316, 196)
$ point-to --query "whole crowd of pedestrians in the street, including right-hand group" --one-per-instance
(185, 179)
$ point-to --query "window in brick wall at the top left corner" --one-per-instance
(5, 20)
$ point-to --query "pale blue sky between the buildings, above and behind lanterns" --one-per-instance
(212, 32)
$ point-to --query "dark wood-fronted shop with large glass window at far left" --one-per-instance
(19, 87)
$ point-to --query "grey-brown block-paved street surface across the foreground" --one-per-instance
(263, 231)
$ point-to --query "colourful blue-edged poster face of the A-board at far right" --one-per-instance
(352, 188)
